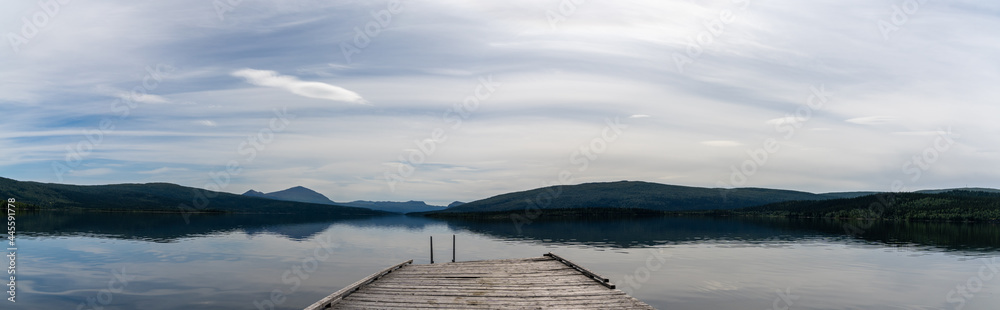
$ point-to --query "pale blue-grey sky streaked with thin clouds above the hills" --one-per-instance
(676, 92)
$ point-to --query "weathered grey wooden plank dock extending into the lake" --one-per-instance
(547, 282)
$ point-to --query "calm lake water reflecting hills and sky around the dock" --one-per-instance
(115, 261)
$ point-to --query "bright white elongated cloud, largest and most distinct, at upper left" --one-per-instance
(318, 90)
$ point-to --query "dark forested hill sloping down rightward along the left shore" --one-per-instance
(156, 197)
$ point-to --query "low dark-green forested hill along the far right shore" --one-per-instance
(955, 205)
